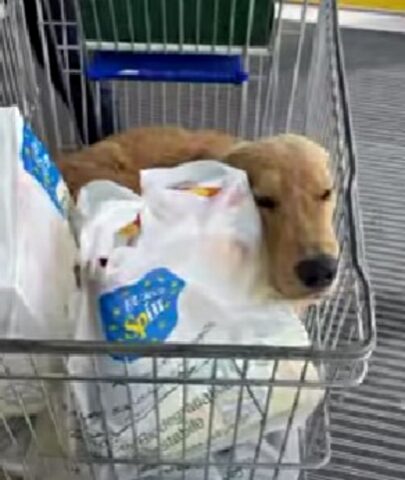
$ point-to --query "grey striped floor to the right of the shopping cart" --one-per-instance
(369, 426)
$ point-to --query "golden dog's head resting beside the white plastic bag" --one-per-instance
(293, 188)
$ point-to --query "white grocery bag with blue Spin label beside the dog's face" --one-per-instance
(183, 264)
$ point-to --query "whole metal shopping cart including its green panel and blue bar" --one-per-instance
(293, 80)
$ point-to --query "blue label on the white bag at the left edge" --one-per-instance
(38, 163)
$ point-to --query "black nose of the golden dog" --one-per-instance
(317, 272)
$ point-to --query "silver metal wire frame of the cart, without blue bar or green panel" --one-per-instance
(297, 83)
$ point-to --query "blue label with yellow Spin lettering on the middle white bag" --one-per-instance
(144, 312)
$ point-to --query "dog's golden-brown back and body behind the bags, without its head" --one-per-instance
(120, 157)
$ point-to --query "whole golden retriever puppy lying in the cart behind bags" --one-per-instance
(289, 176)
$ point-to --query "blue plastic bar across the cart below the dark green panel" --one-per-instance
(167, 67)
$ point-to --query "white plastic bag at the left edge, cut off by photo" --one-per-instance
(37, 254)
